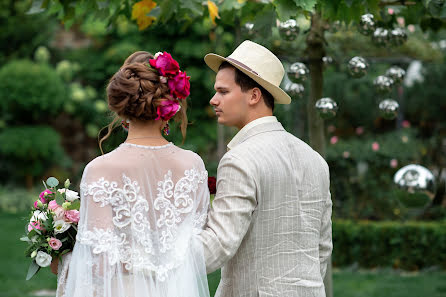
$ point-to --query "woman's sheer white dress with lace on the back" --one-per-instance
(140, 209)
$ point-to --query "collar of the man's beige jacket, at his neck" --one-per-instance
(260, 125)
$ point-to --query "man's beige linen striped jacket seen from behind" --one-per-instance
(269, 226)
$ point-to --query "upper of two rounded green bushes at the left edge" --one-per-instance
(30, 91)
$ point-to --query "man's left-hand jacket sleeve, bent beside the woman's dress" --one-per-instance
(231, 212)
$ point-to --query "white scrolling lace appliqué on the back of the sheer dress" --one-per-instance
(130, 217)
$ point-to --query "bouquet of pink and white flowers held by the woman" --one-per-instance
(52, 227)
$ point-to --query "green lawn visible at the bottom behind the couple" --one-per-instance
(347, 282)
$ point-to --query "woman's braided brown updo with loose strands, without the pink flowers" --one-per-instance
(137, 91)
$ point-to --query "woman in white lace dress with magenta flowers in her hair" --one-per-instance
(143, 202)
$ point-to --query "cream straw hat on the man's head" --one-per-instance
(259, 64)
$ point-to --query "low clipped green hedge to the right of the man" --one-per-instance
(409, 245)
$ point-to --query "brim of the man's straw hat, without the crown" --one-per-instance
(280, 97)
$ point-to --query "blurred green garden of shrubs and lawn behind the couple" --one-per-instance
(54, 69)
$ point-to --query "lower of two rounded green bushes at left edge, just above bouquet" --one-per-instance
(30, 152)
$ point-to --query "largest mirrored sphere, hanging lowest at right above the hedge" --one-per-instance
(415, 178)
